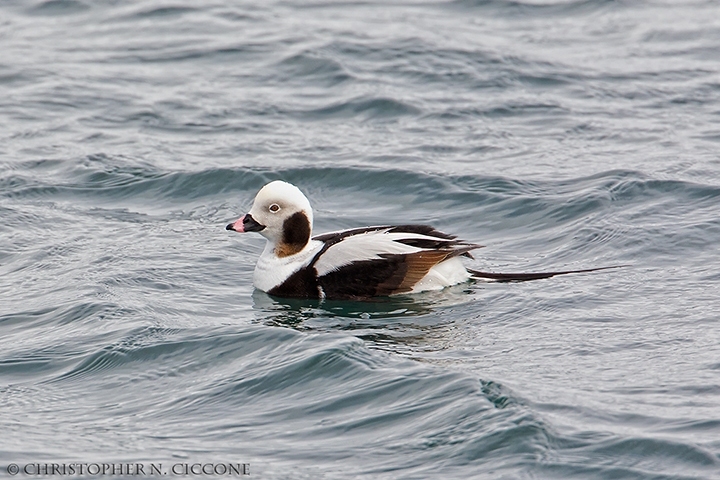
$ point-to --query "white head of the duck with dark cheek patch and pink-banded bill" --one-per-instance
(280, 213)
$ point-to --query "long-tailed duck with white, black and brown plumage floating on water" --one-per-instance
(353, 264)
